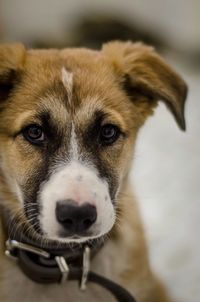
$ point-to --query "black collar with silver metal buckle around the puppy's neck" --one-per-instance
(54, 265)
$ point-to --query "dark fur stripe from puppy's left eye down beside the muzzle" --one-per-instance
(56, 144)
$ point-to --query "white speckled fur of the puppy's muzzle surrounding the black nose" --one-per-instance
(81, 183)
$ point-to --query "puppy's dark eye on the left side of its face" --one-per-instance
(34, 134)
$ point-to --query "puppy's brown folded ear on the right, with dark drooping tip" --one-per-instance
(145, 71)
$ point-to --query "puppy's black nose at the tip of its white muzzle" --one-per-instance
(74, 218)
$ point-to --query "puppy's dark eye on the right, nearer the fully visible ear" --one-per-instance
(109, 134)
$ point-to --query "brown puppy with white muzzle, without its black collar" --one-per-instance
(68, 124)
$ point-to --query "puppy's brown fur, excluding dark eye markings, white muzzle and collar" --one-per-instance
(124, 79)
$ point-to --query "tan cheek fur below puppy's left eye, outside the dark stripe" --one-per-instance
(25, 169)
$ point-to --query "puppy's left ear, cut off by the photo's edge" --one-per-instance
(12, 58)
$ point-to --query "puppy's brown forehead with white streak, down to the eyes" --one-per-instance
(67, 83)
